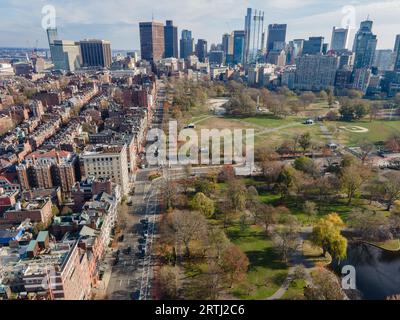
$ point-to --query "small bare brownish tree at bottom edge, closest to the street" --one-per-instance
(169, 282)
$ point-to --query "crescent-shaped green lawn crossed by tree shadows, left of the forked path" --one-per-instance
(266, 271)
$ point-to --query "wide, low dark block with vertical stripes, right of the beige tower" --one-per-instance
(96, 53)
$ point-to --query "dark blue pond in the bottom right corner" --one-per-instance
(377, 270)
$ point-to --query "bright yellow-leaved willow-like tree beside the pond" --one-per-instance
(326, 234)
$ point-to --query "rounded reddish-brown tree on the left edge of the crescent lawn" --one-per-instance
(234, 264)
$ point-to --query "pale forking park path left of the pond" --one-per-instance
(297, 259)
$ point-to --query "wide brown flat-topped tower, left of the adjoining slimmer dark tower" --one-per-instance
(152, 41)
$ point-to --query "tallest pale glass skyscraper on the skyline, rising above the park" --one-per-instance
(254, 29)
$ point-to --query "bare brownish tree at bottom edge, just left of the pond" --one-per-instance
(325, 286)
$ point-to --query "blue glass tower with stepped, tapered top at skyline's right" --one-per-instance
(365, 43)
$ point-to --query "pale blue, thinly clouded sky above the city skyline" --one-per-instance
(117, 20)
